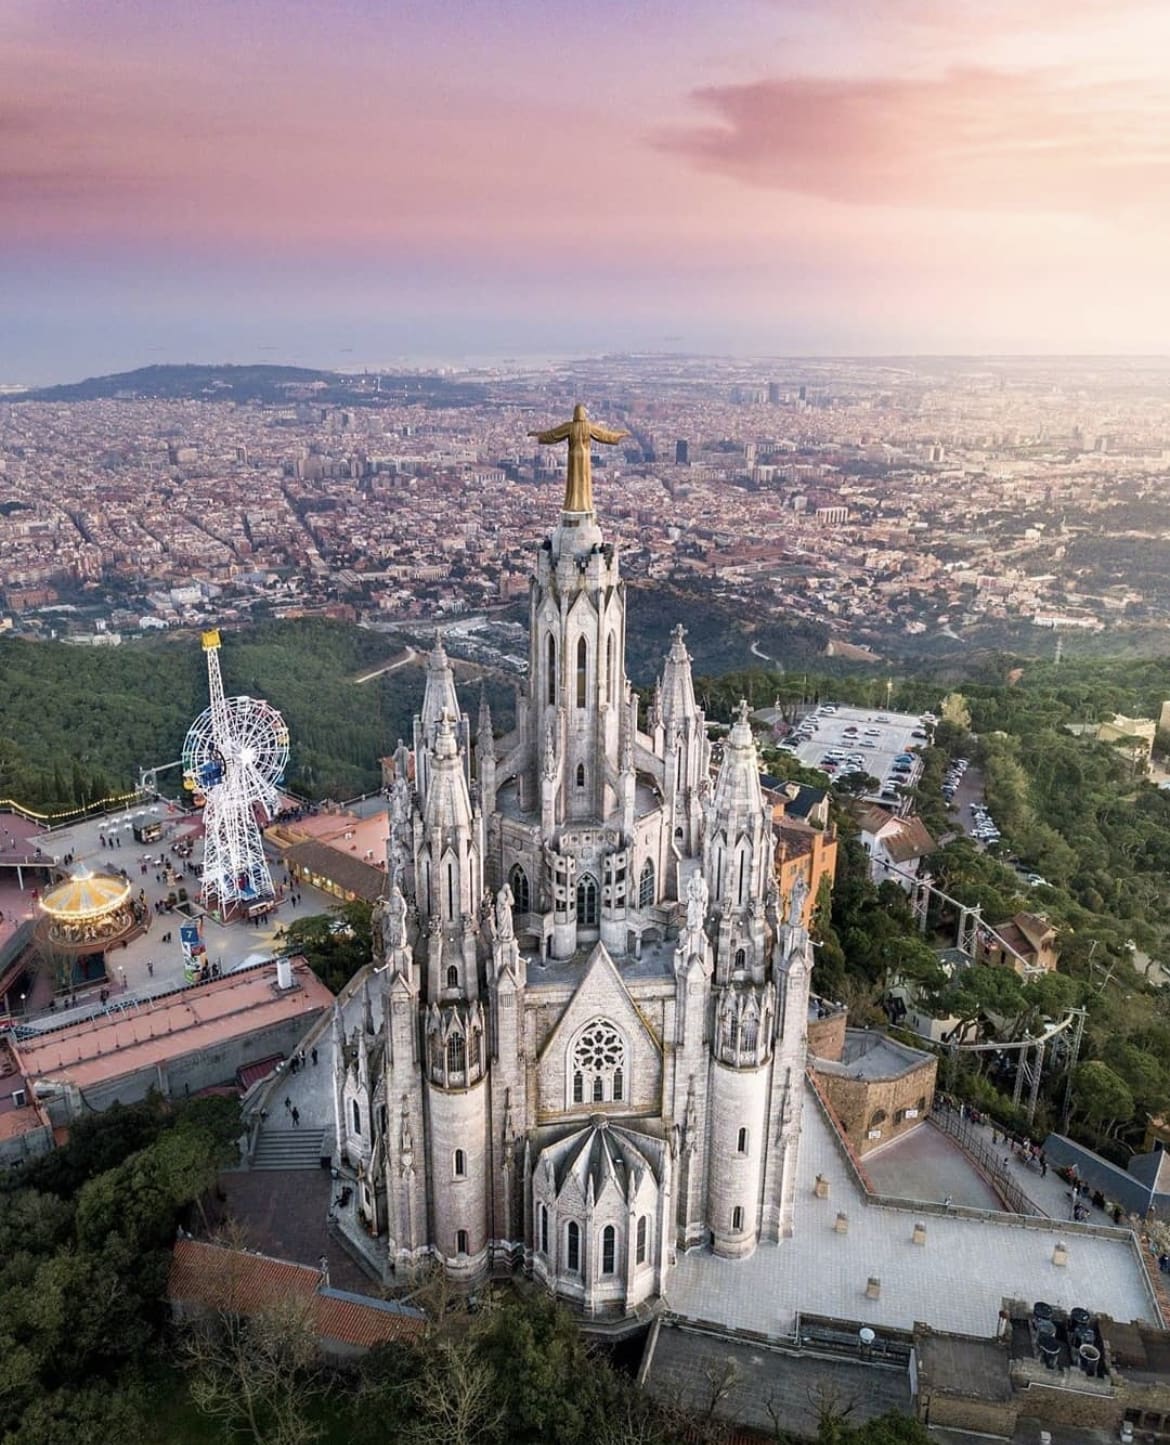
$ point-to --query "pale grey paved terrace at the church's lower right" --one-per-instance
(958, 1281)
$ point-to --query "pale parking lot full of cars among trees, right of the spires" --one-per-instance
(841, 741)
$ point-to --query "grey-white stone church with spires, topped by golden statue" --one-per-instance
(581, 1045)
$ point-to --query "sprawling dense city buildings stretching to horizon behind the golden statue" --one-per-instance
(909, 508)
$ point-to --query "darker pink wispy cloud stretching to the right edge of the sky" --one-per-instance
(971, 139)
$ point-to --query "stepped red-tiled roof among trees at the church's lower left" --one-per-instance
(216, 1278)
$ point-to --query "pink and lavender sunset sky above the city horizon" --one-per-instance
(382, 181)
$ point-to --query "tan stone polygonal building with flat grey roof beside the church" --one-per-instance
(877, 1089)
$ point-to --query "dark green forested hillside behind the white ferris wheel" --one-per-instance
(79, 723)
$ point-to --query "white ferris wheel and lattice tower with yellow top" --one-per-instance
(235, 758)
